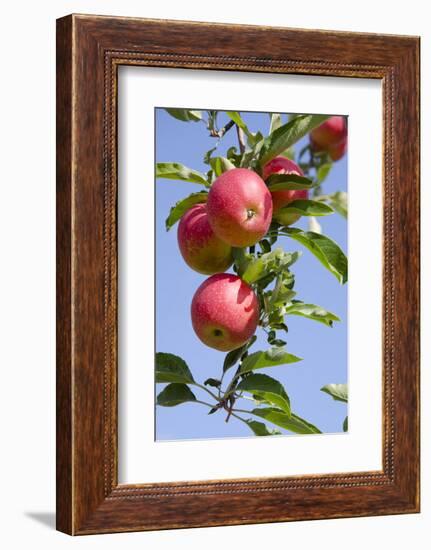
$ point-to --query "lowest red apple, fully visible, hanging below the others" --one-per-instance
(225, 312)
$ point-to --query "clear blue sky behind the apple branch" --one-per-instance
(323, 349)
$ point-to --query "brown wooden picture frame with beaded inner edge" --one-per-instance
(89, 51)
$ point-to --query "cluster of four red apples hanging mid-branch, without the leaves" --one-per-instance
(238, 213)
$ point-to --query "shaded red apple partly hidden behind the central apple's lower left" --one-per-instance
(201, 249)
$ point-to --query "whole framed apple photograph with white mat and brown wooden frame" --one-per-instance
(237, 274)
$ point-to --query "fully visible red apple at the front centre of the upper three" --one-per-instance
(239, 207)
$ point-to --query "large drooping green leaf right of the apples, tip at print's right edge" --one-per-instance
(324, 249)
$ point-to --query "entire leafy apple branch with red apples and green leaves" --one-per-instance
(249, 200)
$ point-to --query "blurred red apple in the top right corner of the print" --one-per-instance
(331, 136)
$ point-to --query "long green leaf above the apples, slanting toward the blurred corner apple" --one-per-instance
(288, 134)
